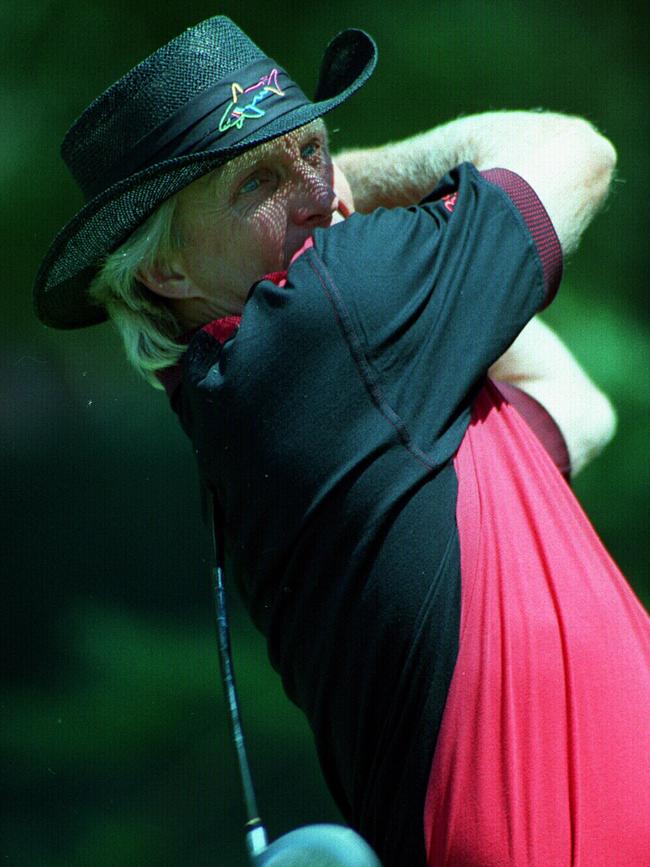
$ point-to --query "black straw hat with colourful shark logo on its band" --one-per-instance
(197, 102)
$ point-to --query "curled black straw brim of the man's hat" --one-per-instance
(61, 299)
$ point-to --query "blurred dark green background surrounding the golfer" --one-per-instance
(116, 747)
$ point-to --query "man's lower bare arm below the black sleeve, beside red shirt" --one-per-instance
(541, 365)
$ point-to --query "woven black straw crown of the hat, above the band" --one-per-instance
(152, 92)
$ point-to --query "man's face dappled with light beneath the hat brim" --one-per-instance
(249, 218)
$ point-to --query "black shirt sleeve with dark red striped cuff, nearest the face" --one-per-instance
(428, 297)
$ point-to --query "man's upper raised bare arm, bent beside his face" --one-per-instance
(566, 161)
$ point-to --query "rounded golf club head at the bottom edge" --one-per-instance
(318, 846)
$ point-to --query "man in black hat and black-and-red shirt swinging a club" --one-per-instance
(472, 663)
